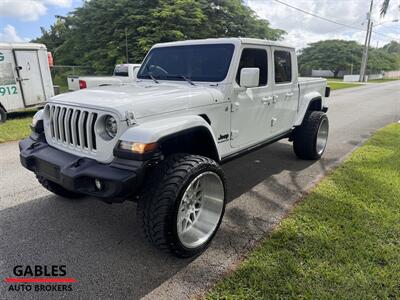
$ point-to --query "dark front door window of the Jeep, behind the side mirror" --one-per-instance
(254, 58)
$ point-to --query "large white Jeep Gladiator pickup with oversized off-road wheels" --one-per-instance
(161, 140)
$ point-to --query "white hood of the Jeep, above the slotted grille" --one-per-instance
(142, 99)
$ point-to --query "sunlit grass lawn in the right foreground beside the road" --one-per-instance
(341, 242)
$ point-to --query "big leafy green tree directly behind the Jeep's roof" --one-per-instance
(95, 35)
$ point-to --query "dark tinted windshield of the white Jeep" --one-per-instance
(194, 62)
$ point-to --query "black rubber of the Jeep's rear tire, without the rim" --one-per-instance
(305, 136)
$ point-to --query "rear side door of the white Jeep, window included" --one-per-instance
(285, 87)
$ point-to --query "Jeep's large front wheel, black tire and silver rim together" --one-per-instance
(182, 204)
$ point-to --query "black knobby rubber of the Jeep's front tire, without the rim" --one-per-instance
(160, 198)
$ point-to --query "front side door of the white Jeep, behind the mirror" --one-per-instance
(251, 107)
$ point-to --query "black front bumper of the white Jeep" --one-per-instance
(120, 179)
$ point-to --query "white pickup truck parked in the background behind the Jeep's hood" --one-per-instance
(123, 73)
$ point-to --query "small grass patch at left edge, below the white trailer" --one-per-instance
(17, 126)
